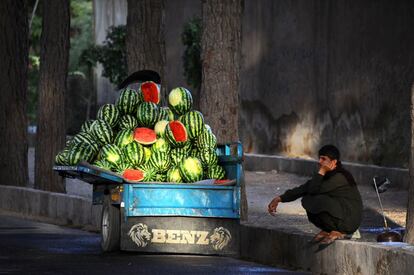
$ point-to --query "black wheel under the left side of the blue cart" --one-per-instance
(110, 227)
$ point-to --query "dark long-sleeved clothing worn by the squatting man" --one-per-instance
(332, 202)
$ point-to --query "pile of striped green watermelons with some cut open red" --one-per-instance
(143, 141)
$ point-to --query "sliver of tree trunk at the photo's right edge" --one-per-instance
(409, 228)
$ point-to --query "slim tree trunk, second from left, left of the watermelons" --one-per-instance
(54, 57)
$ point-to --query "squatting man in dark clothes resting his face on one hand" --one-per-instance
(331, 198)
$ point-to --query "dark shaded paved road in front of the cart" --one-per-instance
(36, 248)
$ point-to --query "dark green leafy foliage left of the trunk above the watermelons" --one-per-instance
(112, 55)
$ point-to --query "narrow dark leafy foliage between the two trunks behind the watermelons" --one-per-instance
(191, 38)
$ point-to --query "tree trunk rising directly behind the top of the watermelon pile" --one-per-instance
(145, 40)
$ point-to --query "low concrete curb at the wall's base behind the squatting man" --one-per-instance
(363, 174)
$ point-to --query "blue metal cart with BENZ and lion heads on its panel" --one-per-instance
(199, 218)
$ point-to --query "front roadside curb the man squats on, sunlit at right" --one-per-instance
(292, 250)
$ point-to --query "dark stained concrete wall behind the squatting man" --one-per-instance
(319, 72)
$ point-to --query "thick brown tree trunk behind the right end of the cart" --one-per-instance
(220, 55)
